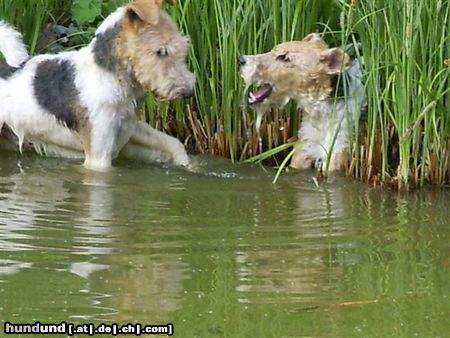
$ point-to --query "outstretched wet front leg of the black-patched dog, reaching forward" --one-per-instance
(149, 144)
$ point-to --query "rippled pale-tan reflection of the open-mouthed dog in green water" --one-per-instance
(295, 271)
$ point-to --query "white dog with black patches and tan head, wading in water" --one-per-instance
(84, 103)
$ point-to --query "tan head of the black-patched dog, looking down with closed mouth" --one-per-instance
(155, 50)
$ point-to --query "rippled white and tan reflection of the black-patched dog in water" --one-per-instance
(69, 213)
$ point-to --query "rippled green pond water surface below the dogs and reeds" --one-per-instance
(221, 252)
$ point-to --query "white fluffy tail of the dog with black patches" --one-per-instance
(12, 46)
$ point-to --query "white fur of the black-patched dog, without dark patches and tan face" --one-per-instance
(110, 103)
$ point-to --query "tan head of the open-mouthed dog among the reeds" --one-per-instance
(292, 70)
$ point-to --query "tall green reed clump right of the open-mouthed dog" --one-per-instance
(405, 45)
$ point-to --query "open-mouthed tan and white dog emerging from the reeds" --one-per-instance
(306, 71)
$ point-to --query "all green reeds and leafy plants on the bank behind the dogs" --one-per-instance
(405, 137)
